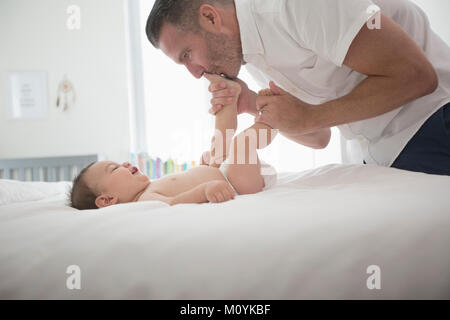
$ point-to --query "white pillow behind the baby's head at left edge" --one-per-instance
(12, 191)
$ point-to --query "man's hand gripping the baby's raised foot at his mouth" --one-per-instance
(221, 92)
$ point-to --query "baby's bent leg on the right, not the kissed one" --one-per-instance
(243, 168)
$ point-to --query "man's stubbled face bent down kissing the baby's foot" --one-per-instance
(202, 52)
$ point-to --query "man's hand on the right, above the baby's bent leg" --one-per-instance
(285, 112)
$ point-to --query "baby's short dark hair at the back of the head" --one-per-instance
(81, 196)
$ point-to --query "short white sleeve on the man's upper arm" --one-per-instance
(326, 27)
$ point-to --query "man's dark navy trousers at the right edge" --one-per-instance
(429, 150)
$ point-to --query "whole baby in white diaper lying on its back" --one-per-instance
(231, 167)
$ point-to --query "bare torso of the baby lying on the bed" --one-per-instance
(174, 184)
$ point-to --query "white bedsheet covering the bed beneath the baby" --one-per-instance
(312, 236)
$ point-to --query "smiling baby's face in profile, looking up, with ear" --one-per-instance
(120, 183)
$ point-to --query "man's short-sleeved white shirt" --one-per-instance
(301, 45)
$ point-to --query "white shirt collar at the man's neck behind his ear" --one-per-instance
(250, 38)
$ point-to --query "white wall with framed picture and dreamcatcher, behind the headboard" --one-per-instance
(34, 37)
